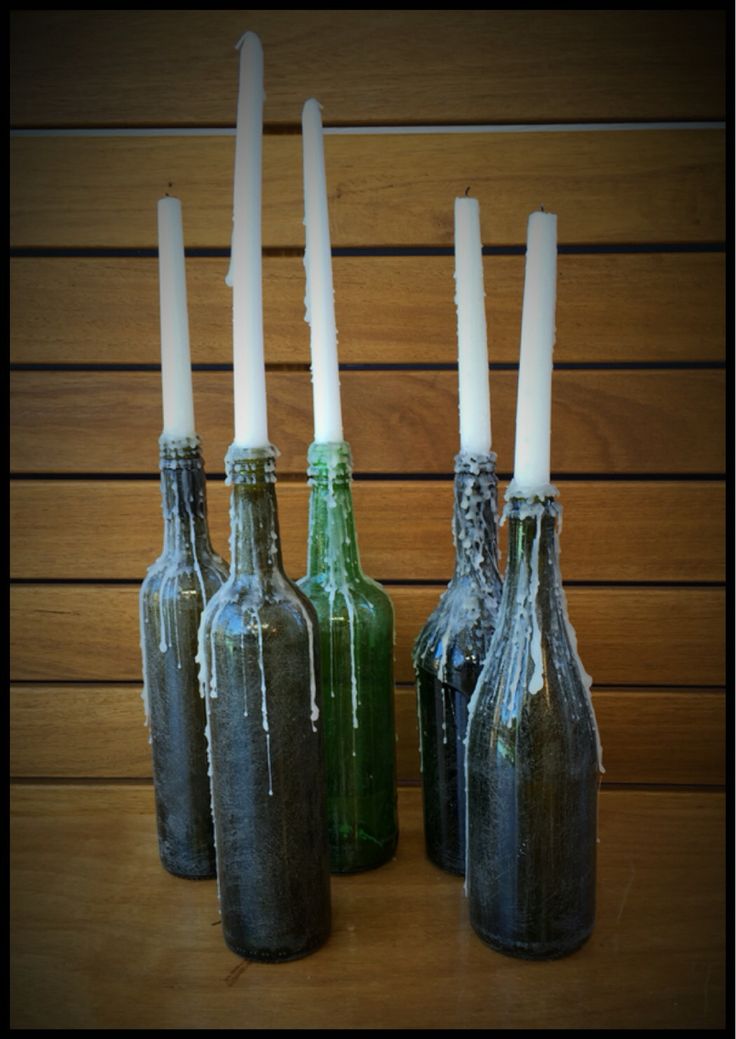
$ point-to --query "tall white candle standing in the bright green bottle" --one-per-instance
(320, 299)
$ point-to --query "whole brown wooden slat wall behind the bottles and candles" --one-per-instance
(610, 119)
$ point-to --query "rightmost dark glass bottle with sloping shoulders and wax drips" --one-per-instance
(533, 761)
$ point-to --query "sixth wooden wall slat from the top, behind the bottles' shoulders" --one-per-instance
(626, 636)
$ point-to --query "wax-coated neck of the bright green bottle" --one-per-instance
(333, 545)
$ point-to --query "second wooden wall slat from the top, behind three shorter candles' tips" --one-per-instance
(607, 188)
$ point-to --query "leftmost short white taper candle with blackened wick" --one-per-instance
(176, 365)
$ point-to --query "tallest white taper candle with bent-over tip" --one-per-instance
(246, 277)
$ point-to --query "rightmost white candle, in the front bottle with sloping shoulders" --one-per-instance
(532, 465)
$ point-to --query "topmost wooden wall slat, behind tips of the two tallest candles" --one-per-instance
(157, 68)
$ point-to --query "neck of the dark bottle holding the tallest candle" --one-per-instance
(255, 548)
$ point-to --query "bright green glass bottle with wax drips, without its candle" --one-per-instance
(357, 641)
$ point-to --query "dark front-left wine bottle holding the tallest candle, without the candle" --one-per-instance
(259, 658)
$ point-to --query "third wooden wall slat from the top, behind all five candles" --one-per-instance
(611, 308)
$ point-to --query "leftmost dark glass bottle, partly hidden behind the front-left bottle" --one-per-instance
(173, 595)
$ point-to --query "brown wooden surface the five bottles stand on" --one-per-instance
(103, 938)
